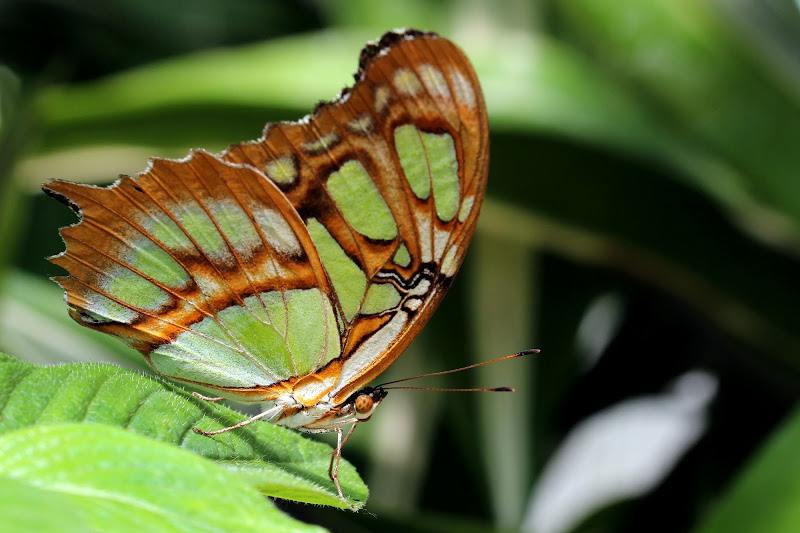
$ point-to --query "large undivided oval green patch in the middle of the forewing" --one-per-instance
(361, 202)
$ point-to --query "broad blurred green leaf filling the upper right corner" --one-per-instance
(706, 83)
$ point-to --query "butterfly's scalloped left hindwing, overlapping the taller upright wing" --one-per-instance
(203, 266)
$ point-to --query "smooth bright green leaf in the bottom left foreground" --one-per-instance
(115, 480)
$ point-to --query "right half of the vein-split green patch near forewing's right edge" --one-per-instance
(444, 173)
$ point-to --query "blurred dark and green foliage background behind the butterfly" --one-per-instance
(644, 177)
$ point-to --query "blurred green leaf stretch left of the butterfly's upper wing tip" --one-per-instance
(233, 85)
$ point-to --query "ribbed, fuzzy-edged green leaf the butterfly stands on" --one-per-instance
(278, 461)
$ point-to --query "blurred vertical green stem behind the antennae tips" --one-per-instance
(504, 286)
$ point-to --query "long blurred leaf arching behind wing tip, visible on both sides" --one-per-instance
(535, 83)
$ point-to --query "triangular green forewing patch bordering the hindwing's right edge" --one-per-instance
(349, 281)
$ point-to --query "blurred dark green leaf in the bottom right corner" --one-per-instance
(765, 497)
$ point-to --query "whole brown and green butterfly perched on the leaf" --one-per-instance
(293, 269)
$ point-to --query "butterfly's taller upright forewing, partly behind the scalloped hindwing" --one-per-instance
(389, 179)
